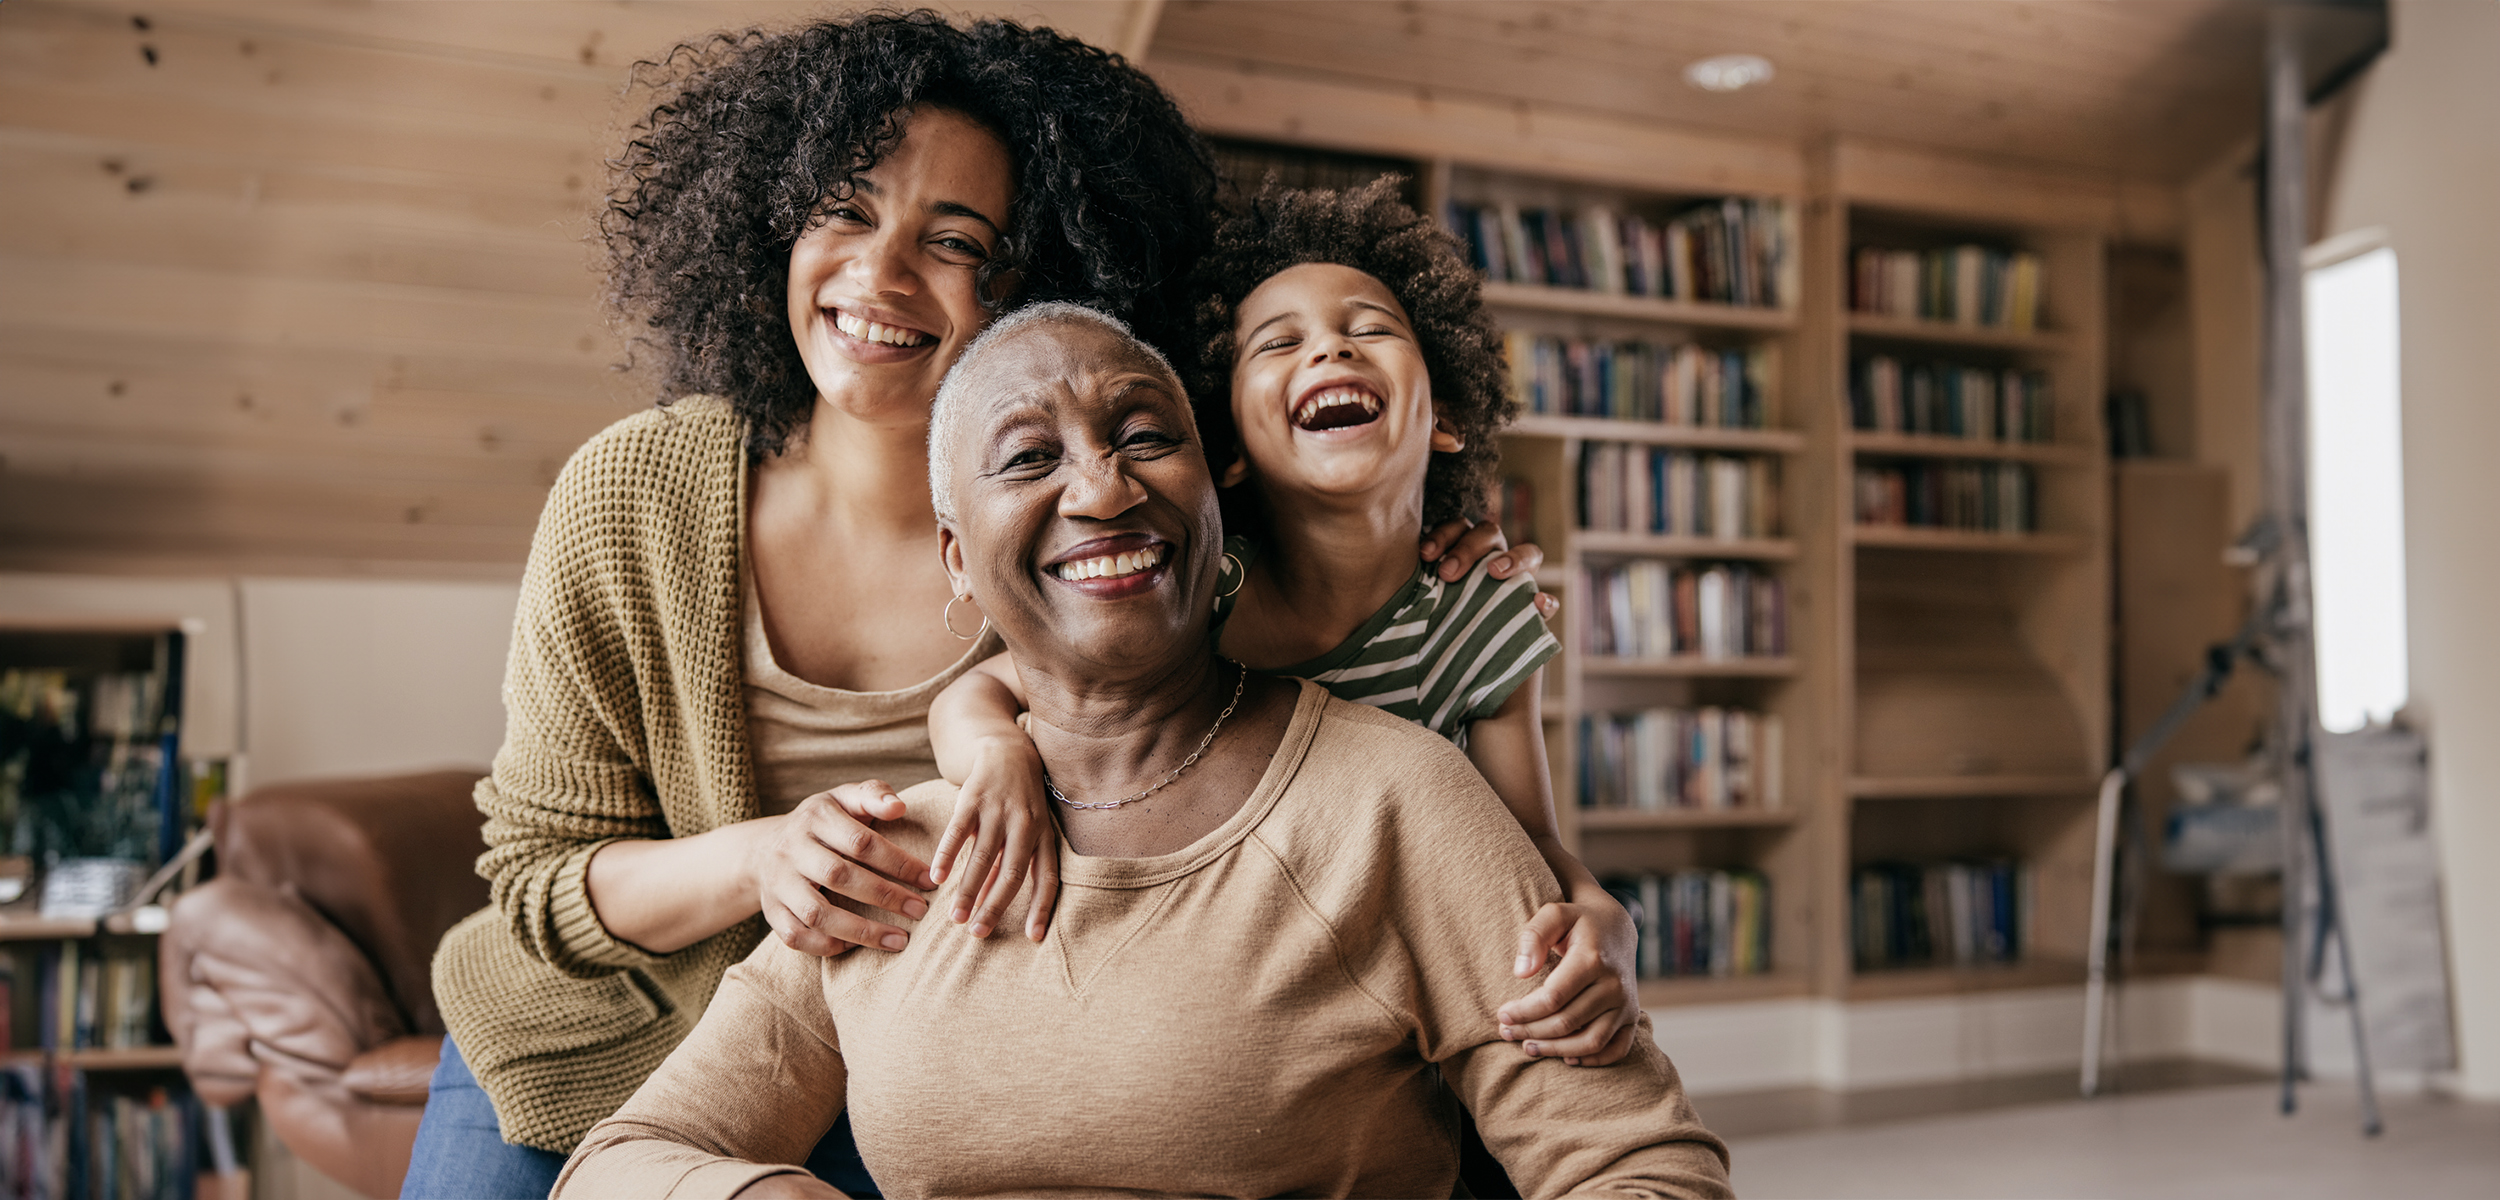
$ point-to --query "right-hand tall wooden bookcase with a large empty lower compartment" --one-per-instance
(1974, 689)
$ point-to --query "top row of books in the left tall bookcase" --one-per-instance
(1729, 251)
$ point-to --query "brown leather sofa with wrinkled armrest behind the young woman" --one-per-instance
(301, 974)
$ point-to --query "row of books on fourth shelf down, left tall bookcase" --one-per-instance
(1649, 609)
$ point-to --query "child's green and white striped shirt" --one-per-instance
(1439, 654)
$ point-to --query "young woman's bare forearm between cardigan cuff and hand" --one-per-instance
(671, 894)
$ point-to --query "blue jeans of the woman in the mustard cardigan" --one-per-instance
(461, 1151)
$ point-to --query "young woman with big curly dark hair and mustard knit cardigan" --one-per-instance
(734, 601)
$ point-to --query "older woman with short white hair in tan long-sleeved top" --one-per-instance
(1271, 944)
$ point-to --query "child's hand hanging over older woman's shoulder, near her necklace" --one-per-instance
(1004, 819)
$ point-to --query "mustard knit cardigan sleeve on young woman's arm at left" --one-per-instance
(574, 771)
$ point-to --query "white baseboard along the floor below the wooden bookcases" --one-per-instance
(1891, 1044)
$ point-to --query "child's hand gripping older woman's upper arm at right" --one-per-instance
(1586, 1014)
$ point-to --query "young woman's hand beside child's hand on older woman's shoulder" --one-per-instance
(829, 849)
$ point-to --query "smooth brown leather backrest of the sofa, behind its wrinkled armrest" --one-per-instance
(391, 861)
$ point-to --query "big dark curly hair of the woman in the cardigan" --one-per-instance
(751, 134)
